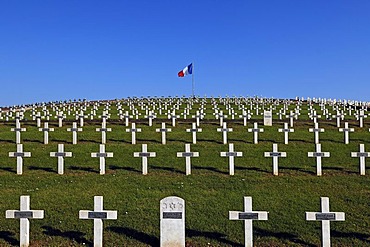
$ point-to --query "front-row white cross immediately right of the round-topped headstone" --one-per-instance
(248, 216)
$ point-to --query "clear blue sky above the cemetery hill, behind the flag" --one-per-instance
(60, 50)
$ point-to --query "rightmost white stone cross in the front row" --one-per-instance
(325, 216)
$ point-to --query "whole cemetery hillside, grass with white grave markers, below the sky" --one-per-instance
(179, 171)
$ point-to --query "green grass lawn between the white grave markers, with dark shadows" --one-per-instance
(209, 192)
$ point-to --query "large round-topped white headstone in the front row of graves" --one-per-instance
(172, 222)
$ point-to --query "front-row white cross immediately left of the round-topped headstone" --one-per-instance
(98, 215)
